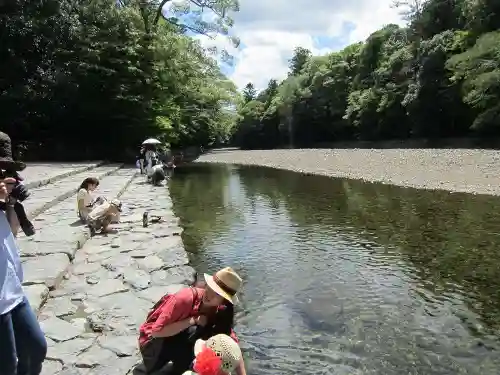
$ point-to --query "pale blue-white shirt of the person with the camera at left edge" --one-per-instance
(11, 272)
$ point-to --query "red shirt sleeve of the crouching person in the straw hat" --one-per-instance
(178, 306)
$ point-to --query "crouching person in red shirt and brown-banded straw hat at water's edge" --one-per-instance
(178, 320)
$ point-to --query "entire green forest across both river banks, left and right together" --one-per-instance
(90, 79)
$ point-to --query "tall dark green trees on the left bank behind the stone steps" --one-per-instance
(90, 79)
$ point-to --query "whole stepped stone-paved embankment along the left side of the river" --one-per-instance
(91, 294)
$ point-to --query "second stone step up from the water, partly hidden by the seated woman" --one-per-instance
(46, 255)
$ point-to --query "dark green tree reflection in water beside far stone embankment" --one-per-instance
(200, 197)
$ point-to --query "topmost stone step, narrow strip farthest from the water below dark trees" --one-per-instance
(39, 174)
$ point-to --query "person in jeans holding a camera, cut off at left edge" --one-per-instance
(23, 347)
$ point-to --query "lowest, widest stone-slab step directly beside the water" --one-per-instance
(91, 320)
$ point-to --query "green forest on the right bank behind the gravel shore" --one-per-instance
(436, 78)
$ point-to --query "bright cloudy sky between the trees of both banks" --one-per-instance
(269, 30)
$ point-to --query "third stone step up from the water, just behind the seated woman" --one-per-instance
(47, 196)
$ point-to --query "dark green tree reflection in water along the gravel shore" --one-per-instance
(449, 238)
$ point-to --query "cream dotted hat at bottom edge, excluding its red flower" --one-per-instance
(225, 348)
